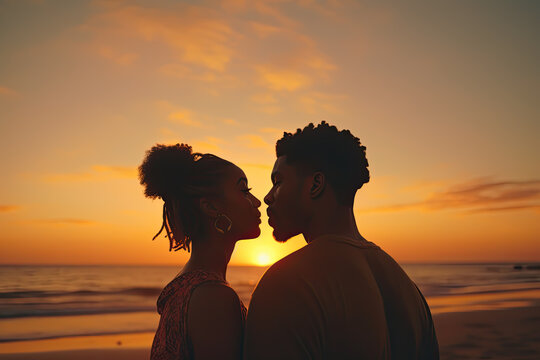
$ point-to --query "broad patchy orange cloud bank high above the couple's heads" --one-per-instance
(206, 45)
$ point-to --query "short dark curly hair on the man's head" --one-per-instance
(339, 155)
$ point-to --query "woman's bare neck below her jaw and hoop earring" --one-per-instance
(210, 255)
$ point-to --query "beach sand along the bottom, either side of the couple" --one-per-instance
(486, 334)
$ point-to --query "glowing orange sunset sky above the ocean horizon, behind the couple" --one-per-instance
(444, 95)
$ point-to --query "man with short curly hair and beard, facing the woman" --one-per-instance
(340, 296)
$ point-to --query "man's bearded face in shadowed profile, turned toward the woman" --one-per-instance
(285, 201)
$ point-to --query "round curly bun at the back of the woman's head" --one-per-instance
(165, 169)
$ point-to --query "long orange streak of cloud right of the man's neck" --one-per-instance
(477, 196)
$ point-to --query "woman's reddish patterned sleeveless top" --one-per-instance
(171, 340)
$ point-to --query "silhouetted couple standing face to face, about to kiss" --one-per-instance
(338, 297)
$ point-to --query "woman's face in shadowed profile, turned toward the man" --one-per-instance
(240, 206)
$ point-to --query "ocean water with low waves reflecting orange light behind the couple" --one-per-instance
(46, 302)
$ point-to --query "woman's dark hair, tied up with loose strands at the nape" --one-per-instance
(180, 177)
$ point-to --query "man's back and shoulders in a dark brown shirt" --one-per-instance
(337, 298)
